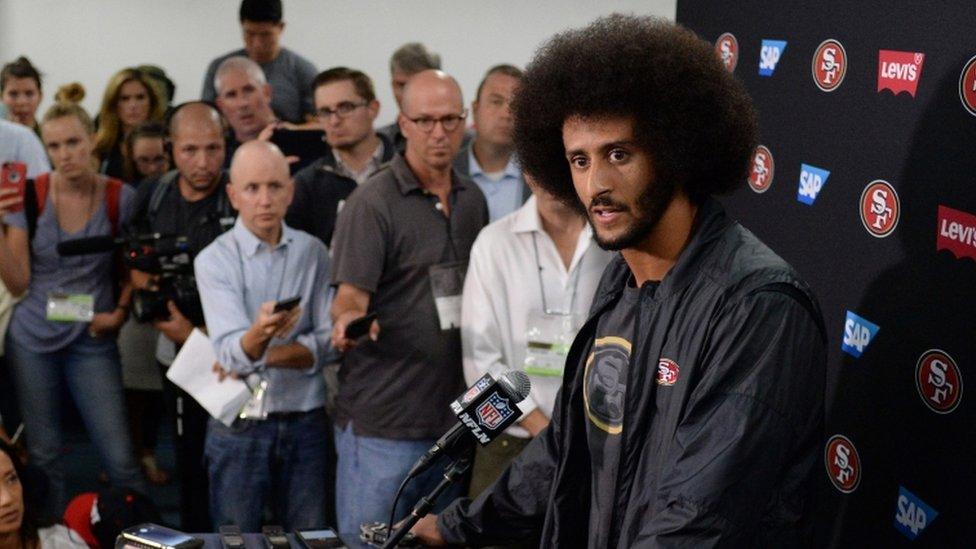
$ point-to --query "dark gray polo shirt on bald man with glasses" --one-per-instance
(388, 235)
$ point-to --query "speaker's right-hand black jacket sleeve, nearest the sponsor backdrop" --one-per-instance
(748, 443)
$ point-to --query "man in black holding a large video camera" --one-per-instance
(187, 201)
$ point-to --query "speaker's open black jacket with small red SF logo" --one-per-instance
(723, 457)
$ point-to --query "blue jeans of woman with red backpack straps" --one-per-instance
(91, 370)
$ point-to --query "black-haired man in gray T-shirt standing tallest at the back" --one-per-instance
(289, 74)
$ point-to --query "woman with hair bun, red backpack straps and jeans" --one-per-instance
(62, 333)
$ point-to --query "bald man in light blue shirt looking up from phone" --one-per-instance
(265, 293)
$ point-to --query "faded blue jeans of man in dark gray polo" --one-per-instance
(369, 472)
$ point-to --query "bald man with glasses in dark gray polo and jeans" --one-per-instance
(400, 249)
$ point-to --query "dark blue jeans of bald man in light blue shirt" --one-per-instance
(281, 461)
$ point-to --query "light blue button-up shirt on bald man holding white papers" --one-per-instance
(235, 274)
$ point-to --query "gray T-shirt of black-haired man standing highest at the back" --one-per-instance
(290, 76)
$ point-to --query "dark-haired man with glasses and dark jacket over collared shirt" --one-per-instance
(346, 107)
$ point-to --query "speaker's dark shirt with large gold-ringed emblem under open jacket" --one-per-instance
(605, 392)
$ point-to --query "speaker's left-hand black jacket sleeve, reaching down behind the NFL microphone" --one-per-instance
(514, 507)
